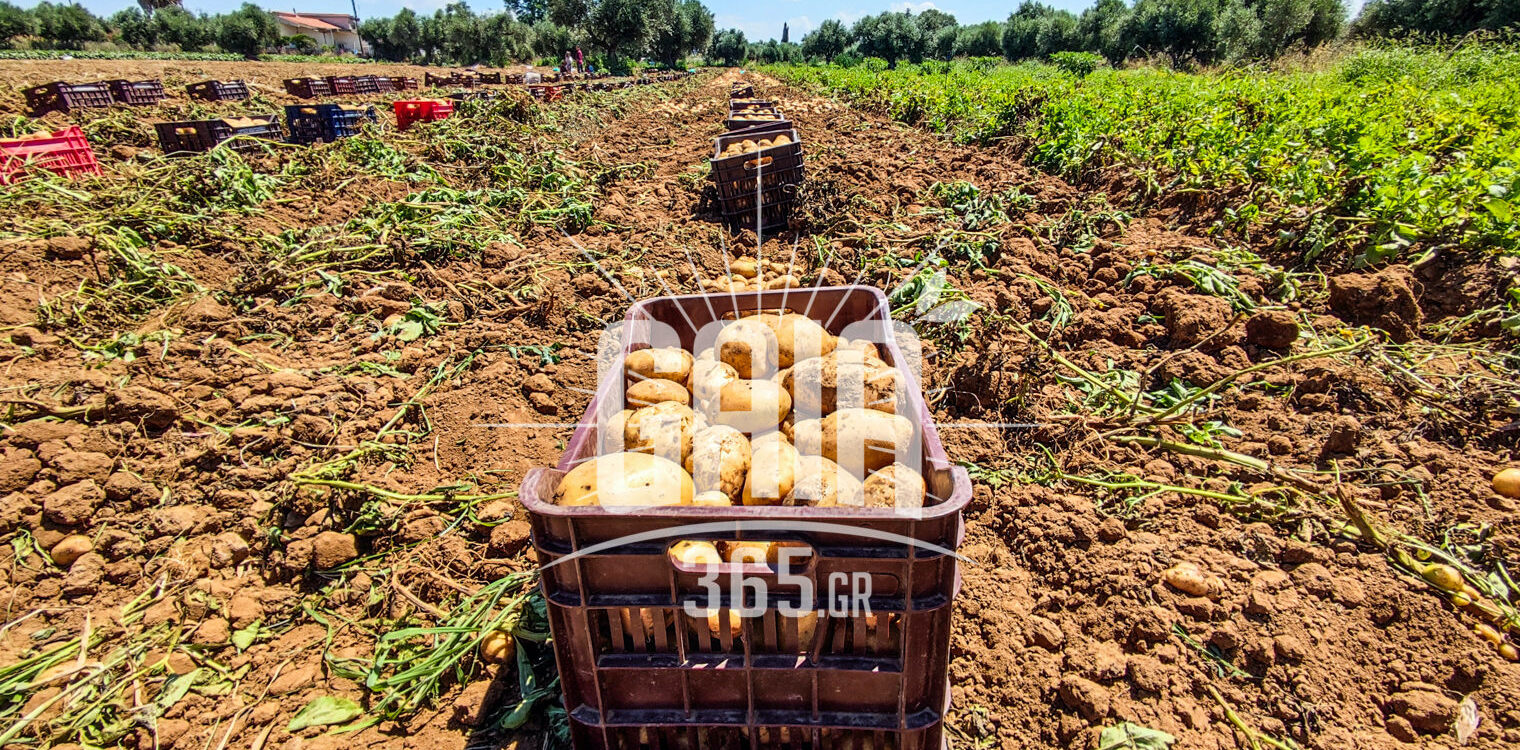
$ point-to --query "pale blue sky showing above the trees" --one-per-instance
(758, 21)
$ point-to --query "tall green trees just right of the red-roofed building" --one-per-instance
(612, 33)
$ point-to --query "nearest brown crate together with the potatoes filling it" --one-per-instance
(771, 436)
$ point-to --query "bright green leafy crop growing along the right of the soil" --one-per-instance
(1390, 150)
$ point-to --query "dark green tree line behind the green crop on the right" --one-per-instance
(1183, 31)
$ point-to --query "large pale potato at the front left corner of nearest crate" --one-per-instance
(632, 480)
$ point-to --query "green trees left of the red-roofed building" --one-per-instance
(247, 31)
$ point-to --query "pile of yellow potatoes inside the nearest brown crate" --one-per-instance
(777, 412)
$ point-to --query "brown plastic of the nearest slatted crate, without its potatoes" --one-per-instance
(638, 672)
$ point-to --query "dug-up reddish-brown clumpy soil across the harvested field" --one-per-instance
(177, 466)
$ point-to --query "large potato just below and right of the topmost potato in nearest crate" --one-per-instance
(843, 380)
